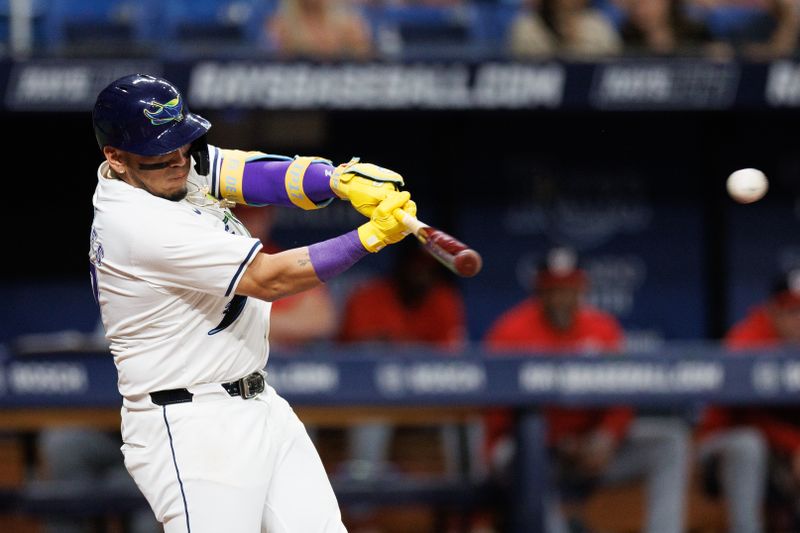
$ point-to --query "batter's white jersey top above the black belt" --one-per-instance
(165, 275)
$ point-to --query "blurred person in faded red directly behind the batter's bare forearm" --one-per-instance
(296, 320)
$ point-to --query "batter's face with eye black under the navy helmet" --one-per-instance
(163, 175)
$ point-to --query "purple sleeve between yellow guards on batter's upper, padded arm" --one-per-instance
(263, 183)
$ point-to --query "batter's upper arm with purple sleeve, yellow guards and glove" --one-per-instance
(255, 178)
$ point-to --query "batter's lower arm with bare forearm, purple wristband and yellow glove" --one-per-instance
(270, 277)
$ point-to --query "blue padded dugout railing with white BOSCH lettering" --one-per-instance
(421, 385)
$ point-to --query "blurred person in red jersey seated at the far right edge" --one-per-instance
(772, 325)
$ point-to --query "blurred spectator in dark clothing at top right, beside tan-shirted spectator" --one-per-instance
(663, 27)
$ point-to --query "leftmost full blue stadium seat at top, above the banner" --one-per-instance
(118, 27)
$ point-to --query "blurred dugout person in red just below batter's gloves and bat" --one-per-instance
(415, 305)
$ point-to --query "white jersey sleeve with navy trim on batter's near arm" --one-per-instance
(182, 252)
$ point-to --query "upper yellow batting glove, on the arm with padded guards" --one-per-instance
(364, 184)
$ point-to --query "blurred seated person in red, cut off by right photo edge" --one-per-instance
(772, 325)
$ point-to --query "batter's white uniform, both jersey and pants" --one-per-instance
(165, 276)
